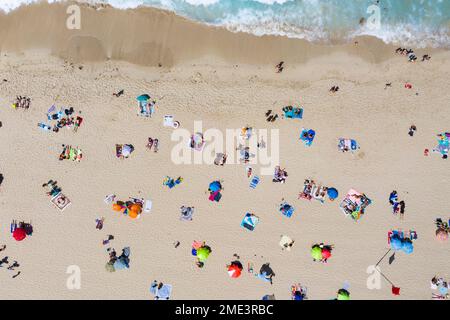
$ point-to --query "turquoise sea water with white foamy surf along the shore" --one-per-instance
(415, 23)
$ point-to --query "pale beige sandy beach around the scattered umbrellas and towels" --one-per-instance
(227, 81)
